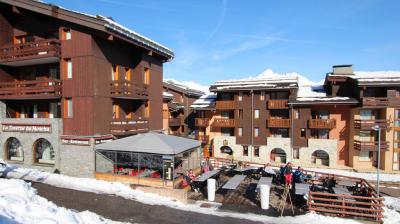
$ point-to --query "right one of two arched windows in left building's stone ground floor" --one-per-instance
(44, 152)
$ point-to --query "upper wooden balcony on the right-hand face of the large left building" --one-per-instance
(128, 90)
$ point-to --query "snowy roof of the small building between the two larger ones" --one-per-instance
(188, 87)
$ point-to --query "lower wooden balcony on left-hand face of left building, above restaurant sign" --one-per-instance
(43, 89)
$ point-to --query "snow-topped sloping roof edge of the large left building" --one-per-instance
(114, 27)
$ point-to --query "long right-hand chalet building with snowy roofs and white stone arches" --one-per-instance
(286, 118)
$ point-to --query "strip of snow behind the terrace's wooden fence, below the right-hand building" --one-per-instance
(367, 176)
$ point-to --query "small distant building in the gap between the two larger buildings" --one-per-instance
(177, 100)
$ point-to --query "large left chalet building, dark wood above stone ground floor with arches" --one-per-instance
(68, 81)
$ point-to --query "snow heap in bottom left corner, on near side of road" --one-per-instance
(19, 203)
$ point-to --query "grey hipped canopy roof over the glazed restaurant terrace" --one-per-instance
(154, 143)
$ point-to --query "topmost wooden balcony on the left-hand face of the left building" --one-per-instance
(30, 50)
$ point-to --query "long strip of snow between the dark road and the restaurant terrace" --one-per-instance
(103, 187)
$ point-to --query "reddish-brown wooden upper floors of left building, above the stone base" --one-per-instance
(101, 82)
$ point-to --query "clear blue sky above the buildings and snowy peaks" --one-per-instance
(226, 39)
